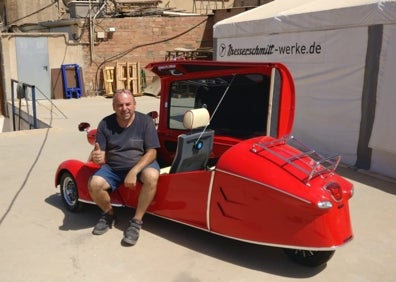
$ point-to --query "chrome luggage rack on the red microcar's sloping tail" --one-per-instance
(309, 162)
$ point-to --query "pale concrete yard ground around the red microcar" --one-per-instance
(41, 241)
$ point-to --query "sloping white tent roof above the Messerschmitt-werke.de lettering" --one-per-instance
(283, 16)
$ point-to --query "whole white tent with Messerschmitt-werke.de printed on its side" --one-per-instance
(342, 55)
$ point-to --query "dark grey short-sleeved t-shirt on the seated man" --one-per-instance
(125, 146)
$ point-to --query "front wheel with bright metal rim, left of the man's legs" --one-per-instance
(69, 192)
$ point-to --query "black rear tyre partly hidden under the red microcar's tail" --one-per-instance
(309, 258)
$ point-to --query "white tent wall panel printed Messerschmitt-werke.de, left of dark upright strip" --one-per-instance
(328, 69)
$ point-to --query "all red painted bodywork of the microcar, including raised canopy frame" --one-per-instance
(279, 197)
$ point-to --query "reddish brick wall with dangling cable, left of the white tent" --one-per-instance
(154, 35)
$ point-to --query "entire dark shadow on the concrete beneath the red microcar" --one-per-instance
(256, 257)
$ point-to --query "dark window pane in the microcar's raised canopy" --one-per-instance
(238, 105)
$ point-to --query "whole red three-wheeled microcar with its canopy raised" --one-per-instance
(230, 165)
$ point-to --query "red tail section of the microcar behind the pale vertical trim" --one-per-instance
(247, 199)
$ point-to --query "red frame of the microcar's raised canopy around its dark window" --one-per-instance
(277, 106)
